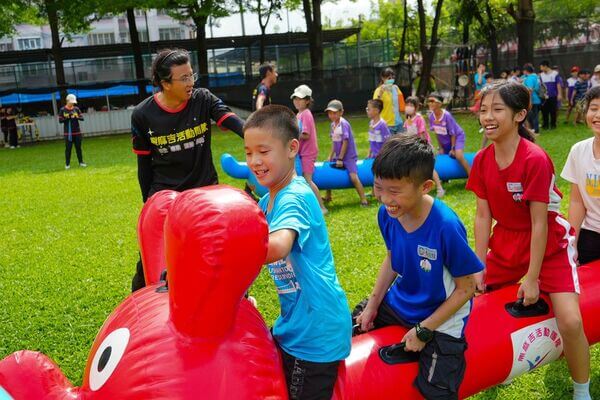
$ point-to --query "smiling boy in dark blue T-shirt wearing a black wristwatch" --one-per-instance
(426, 282)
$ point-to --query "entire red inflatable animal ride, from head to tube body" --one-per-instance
(198, 337)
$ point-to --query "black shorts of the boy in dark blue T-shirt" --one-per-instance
(441, 362)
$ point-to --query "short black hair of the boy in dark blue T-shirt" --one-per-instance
(405, 156)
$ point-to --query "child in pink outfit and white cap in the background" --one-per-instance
(309, 149)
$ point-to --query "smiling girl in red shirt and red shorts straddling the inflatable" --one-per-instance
(531, 242)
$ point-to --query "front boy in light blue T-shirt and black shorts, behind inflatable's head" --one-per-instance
(314, 329)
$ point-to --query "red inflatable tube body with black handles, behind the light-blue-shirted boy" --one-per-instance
(501, 346)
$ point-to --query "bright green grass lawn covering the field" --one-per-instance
(69, 248)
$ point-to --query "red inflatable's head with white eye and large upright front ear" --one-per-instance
(196, 338)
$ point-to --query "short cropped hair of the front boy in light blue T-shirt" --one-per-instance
(279, 119)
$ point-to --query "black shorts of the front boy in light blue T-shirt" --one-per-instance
(309, 380)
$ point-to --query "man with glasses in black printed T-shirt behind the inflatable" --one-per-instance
(172, 132)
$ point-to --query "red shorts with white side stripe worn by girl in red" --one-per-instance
(508, 259)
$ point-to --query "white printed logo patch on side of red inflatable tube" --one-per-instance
(534, 346)
